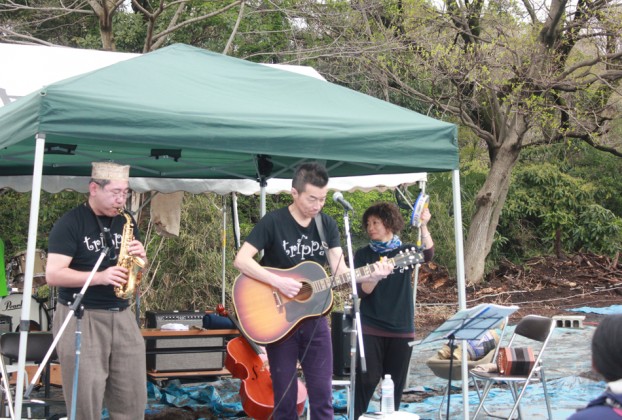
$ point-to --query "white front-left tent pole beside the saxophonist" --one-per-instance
(33, 225)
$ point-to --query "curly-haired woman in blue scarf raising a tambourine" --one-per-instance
(387, 307)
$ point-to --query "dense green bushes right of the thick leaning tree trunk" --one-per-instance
(558, 210)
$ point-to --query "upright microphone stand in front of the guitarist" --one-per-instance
(356, 325)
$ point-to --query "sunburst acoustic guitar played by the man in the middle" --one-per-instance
(266, 316)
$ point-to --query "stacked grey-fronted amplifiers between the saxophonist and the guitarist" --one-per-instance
(182, 361)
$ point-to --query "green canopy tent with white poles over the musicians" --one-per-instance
(185, 113)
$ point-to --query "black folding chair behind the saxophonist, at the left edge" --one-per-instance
(37, 347)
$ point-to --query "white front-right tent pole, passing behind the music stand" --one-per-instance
(457, 203)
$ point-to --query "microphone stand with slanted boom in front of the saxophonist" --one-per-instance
(75, 309)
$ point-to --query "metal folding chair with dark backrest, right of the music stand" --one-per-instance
(536, 329)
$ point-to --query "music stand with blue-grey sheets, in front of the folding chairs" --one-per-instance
(468, 324)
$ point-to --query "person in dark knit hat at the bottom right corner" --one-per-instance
(606, 360)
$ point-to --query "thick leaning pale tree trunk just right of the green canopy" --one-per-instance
(488, 205)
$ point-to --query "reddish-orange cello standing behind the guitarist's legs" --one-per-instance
(256, 393)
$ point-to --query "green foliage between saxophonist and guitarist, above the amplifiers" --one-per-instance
(186, 272)
